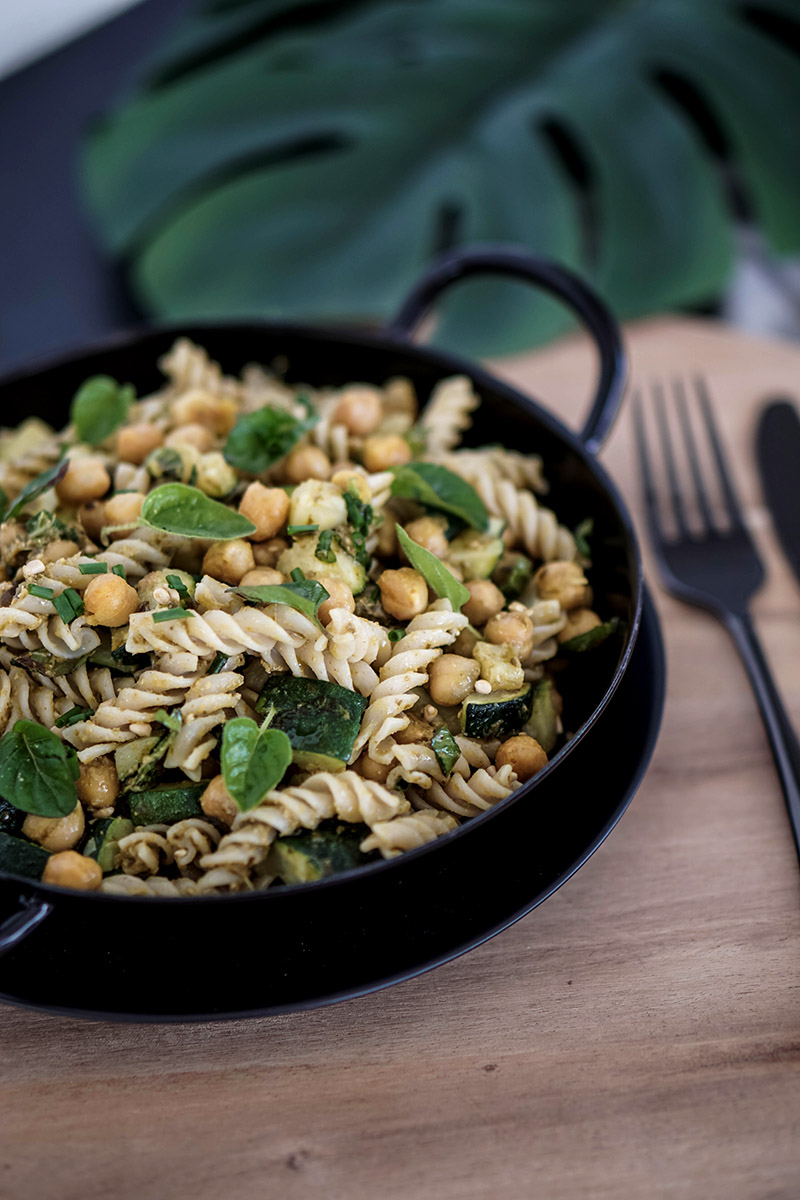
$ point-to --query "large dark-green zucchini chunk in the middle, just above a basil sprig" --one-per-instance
(321, 719)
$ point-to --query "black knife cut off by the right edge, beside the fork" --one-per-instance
(778, 449)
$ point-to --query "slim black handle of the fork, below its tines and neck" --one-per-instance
(783, 739)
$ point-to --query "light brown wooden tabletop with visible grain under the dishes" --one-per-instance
(636, 1037)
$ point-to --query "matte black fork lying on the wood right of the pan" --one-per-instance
(715, 566)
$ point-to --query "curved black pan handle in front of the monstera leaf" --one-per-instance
(504, 260)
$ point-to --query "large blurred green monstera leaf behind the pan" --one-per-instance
(308, 160)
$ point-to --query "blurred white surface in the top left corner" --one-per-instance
(32, 28)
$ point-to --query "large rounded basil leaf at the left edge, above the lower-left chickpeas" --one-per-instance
(38, 771)
